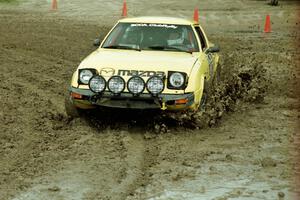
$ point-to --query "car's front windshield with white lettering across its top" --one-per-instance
(157, 37)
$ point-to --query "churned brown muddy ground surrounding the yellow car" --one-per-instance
(249, 154)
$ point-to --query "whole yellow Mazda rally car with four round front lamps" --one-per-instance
(146, 63)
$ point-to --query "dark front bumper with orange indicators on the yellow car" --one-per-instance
(86, 99)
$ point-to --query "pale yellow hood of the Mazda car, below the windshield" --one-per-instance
(129, 62)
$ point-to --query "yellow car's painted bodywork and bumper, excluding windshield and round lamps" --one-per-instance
(197, 68)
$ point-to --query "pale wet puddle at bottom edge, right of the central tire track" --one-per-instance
(239, 190)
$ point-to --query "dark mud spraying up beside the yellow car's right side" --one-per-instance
(248, 83)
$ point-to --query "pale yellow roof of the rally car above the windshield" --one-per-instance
(160, 20)
